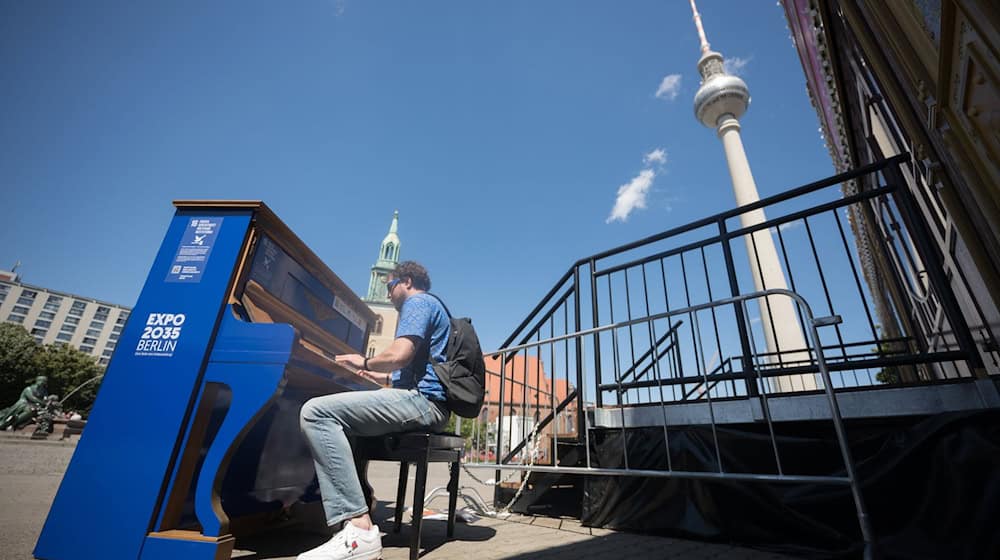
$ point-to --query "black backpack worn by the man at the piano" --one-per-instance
(463, 373)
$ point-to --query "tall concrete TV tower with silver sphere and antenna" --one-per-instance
(720, 102)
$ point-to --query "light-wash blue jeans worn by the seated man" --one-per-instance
(329, 420)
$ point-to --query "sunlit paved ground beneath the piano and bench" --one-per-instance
(30, 472)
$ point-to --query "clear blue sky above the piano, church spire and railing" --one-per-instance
(502, 132)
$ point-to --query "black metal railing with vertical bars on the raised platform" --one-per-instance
(896, 333)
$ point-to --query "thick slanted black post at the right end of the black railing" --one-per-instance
(934, 266)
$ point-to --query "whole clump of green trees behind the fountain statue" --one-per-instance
(22, 359)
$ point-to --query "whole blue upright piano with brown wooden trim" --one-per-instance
(194, 436)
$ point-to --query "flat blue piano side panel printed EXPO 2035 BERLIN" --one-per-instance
(121, 461)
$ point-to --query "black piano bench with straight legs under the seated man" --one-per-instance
(420, 448)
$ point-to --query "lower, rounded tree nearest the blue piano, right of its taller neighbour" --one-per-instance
(67, 368)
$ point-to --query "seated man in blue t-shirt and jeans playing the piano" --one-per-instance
(415, 401)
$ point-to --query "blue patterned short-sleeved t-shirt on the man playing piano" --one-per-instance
(424, 318)
